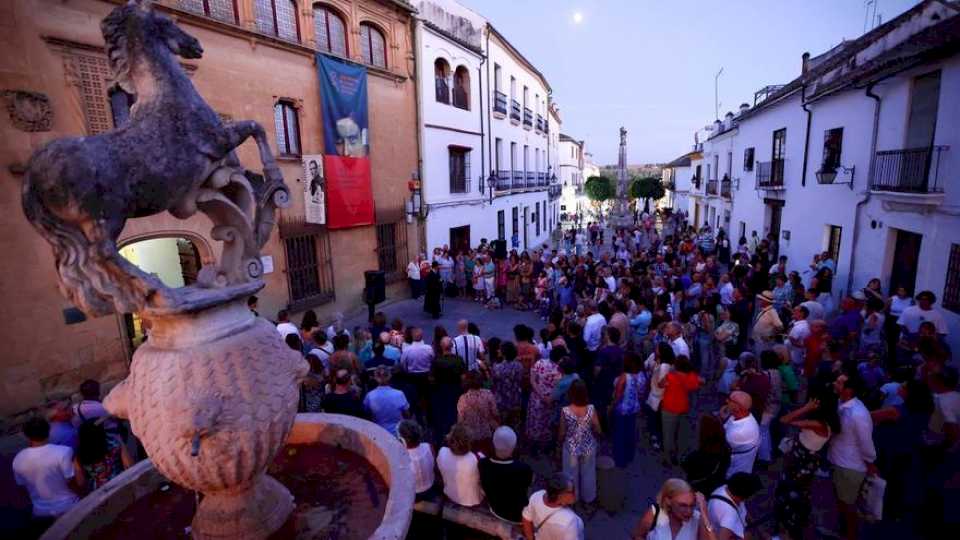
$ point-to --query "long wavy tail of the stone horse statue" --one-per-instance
(70, 251)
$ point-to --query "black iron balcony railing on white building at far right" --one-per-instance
(912, 170)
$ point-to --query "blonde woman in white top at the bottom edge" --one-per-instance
(679, 513)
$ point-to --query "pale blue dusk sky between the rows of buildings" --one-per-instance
(649, 65)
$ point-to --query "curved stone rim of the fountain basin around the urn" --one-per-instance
(93, 516)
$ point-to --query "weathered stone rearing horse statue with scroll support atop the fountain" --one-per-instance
(175, 154)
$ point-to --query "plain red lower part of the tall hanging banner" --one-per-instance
(349, 192)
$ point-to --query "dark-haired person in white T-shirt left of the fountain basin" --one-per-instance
(47, 471)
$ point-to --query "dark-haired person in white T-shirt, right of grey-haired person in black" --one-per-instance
(548, 515)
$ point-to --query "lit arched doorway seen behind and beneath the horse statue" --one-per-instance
(175, 259)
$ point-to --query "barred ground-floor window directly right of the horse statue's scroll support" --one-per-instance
(309, 264)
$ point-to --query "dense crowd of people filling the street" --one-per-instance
(643, 328)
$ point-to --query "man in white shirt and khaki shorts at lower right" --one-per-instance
(851, 450)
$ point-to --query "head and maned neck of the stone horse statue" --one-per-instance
(134, 31)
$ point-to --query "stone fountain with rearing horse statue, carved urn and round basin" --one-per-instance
(213, 393)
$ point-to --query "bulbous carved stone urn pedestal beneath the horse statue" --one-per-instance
(212, 395)
